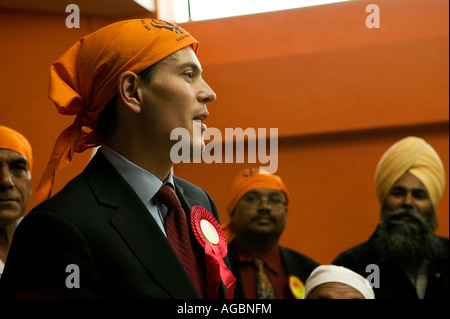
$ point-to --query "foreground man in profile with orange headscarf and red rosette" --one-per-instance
(126, 226)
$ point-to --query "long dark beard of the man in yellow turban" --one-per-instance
(406, 238)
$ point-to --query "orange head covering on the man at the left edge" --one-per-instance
(13, 140)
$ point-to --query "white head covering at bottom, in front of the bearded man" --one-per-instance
(331, 273)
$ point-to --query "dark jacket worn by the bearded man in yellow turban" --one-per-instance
(393, 282)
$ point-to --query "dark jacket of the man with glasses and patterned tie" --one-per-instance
(294, 263)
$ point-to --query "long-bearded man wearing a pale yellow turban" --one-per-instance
(413, 262)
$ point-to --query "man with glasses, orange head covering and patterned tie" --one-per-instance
(257, 206)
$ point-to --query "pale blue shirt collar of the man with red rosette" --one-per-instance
(144, 184)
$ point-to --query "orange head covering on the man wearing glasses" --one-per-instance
(245, 181)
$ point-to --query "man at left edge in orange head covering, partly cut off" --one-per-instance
(15, 185)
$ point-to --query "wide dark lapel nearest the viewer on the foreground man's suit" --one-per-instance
(138, 229)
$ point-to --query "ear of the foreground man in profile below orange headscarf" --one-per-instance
(128, 91)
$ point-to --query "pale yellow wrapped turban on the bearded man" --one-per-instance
(416, 156)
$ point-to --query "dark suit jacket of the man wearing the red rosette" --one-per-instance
(98, 223)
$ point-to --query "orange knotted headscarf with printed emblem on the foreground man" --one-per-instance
(85, 78)
